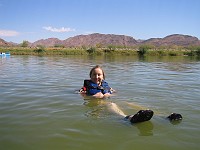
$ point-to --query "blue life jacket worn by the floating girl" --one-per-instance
(92, 88)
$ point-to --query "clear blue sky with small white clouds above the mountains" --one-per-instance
(142, 19)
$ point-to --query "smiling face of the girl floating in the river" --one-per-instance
(97, 76)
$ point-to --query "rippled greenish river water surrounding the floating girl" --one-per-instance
(40, 108)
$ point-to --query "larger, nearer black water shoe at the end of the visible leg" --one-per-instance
(140, 116)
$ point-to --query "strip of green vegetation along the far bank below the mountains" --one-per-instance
(142, 50)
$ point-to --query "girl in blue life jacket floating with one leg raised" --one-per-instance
(97, 87)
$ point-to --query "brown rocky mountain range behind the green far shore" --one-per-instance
(112, 39)
